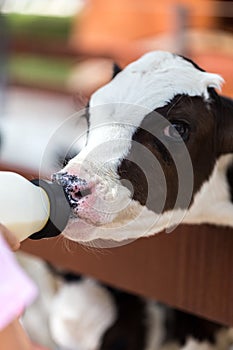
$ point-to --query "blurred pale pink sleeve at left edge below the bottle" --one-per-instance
(16, 289)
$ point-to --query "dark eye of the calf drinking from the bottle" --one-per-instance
(177, 130)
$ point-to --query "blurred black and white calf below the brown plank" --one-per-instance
(79, 313)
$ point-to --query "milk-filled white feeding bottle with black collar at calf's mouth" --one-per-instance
(38, 207)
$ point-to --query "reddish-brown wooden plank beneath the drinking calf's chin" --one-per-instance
(191, 268)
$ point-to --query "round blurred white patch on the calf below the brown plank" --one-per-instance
(80, 315)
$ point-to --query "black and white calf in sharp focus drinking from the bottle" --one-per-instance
(159, 152)
